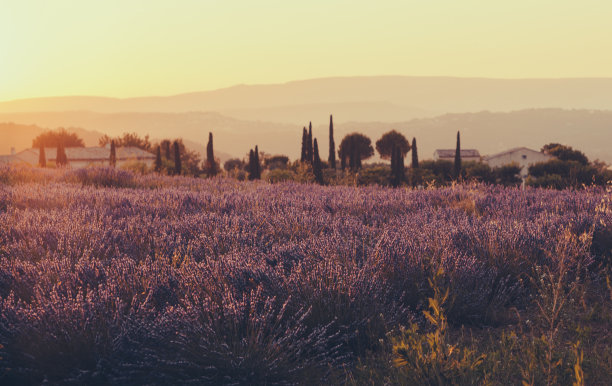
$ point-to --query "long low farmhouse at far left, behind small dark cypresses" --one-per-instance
(79, 157)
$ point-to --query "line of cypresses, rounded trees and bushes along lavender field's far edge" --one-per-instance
(344, 165)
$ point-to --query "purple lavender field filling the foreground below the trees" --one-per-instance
(112, 278)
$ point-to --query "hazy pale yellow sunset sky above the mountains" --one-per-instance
(146, 47)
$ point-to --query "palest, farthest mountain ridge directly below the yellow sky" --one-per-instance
(372, 98)
